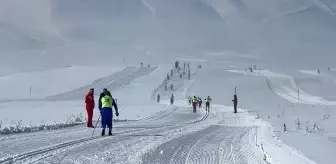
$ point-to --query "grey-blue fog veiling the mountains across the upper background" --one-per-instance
(63, 32)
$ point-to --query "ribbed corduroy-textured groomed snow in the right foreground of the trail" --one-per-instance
(215, 144)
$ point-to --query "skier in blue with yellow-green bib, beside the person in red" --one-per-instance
(105, 106)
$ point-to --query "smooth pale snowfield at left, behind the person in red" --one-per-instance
(50, 82)
